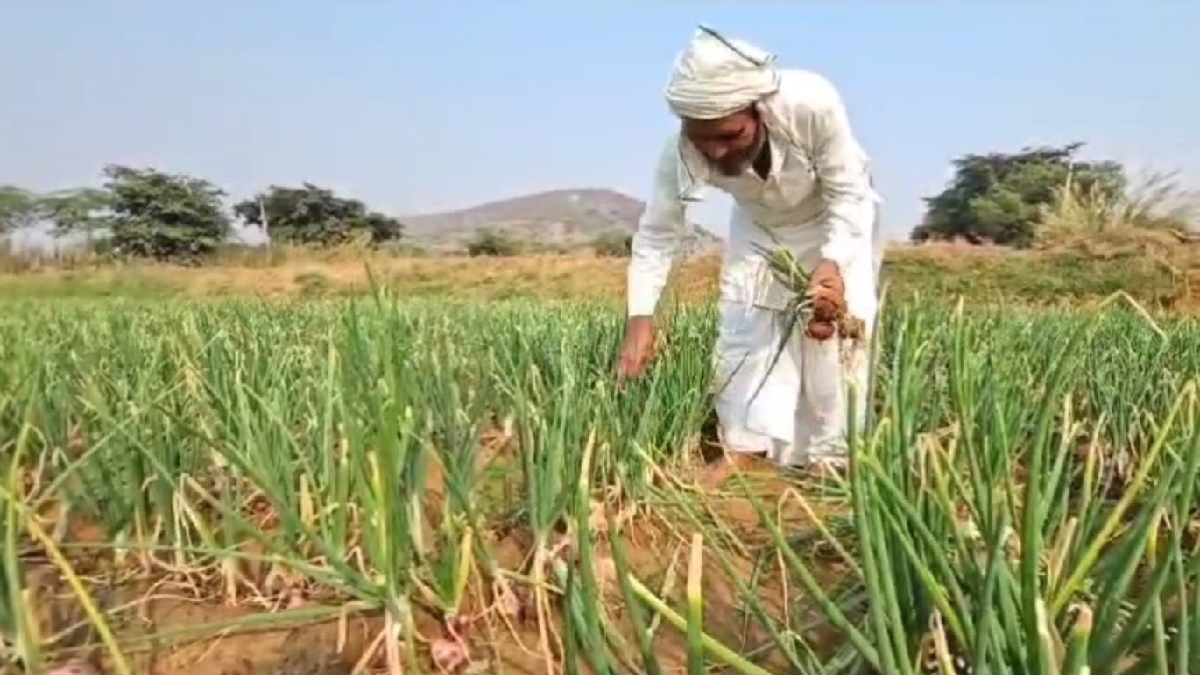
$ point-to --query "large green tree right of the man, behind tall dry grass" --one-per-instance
(998, 198)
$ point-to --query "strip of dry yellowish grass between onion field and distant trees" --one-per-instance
(1151, 265)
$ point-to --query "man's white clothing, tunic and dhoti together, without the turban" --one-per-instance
(818, 201)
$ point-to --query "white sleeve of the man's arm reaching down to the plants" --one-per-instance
(657, 238)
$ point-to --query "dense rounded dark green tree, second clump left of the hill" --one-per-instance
(165, 217)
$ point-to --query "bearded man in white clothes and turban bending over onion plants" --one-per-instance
(781, 144)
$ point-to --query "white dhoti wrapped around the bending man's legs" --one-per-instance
(794, 404)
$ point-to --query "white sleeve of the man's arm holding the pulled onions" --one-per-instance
(844, 178)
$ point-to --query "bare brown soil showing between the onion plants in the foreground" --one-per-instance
(176, 625)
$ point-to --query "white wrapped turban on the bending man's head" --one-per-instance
(716, 77)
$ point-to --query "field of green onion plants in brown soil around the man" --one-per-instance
(389, 486)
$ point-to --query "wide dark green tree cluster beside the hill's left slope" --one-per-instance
(316, 216)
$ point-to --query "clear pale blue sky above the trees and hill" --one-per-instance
(427, 106)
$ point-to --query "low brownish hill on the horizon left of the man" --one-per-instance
(557, 218)
